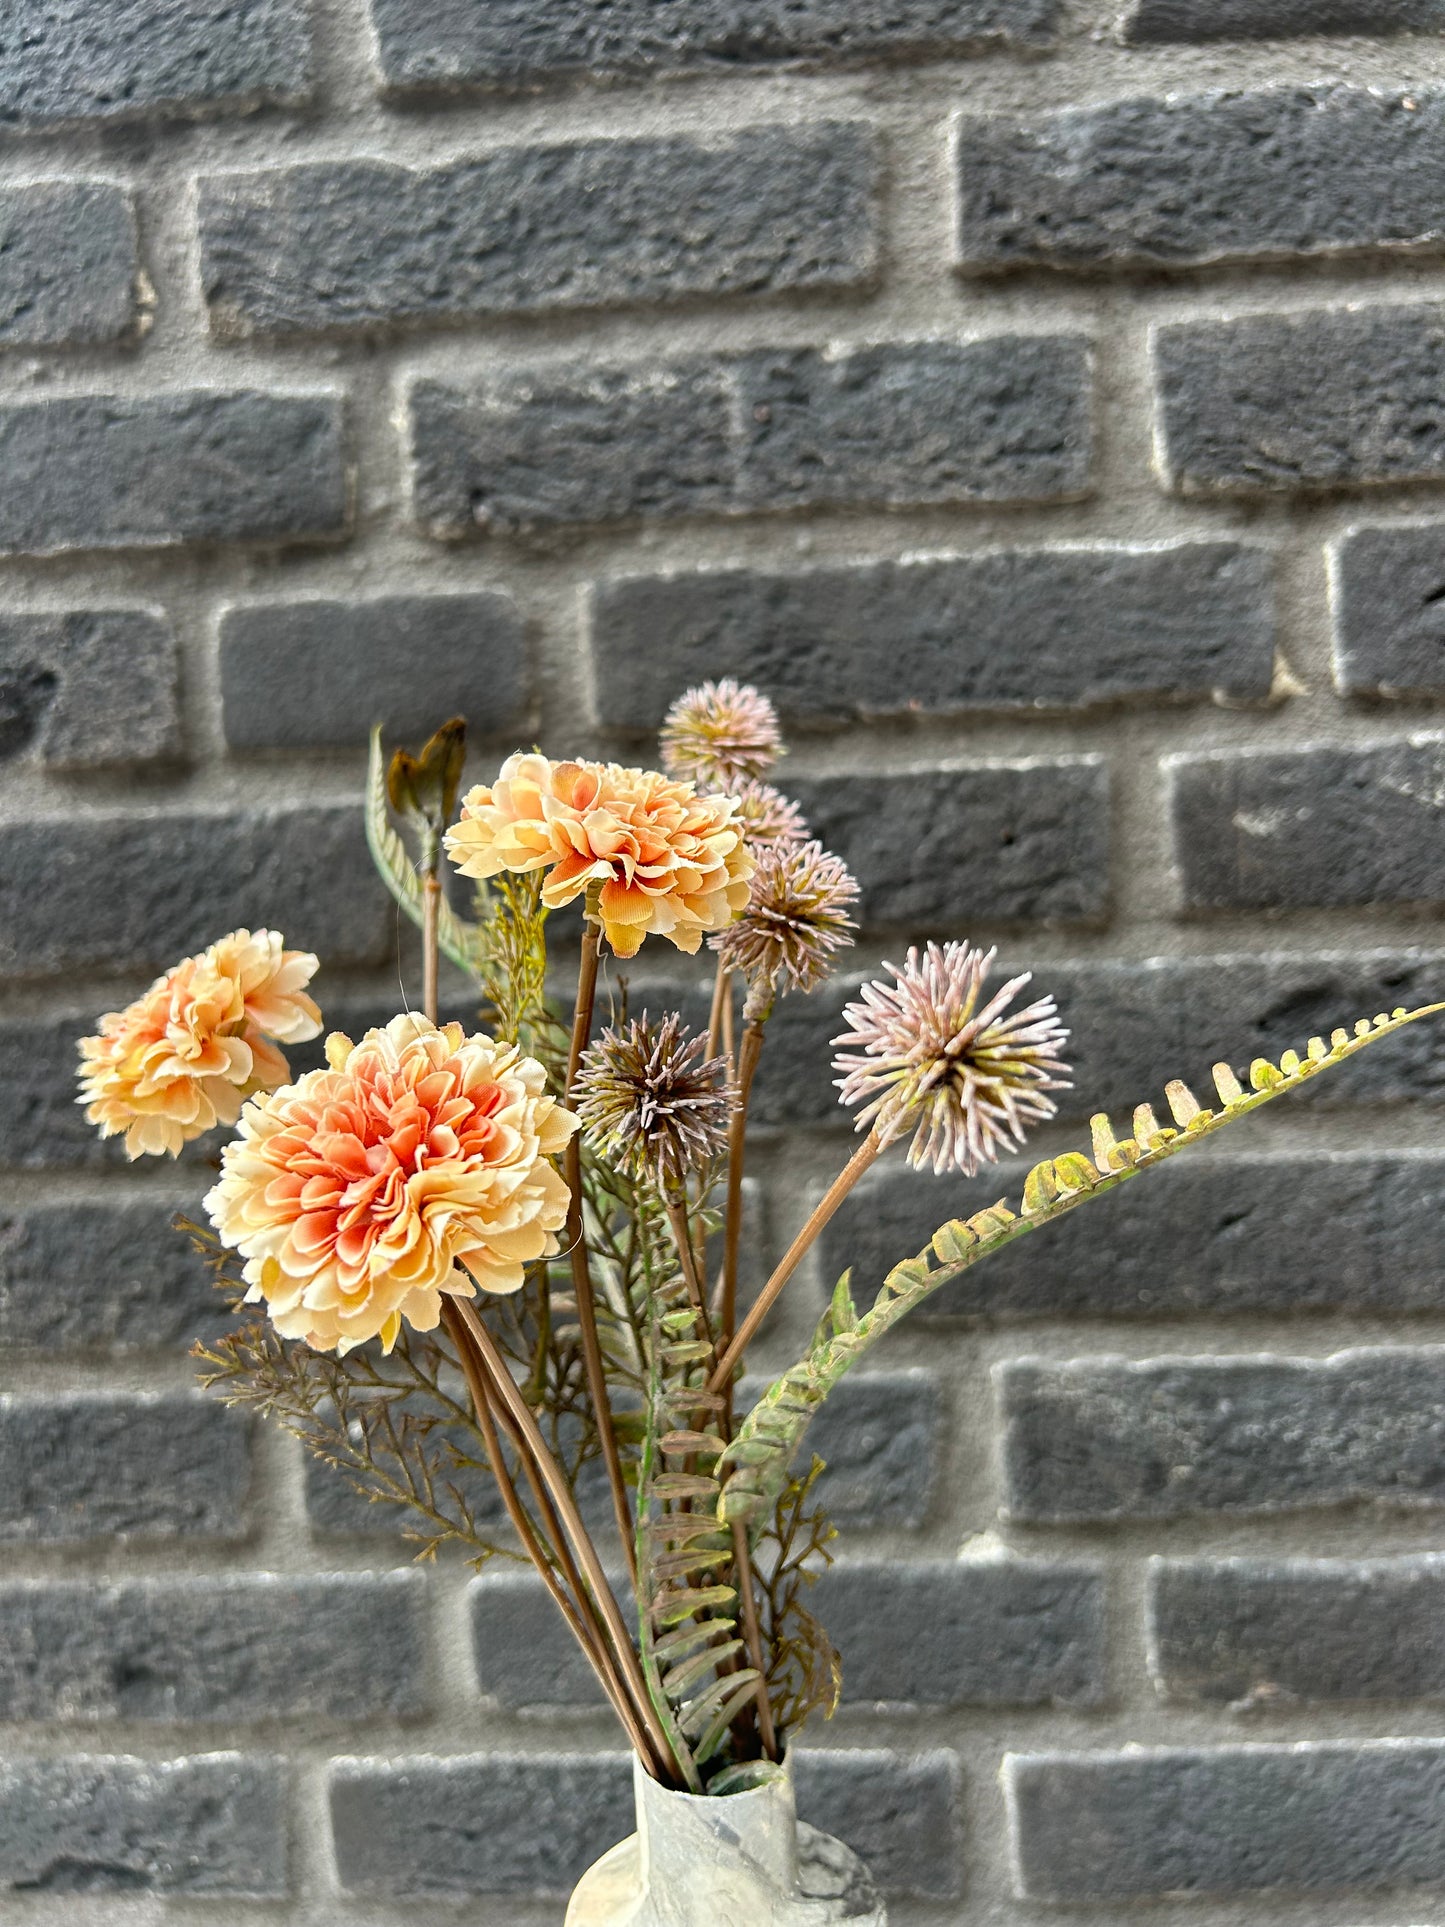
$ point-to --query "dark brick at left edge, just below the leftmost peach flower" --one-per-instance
(153, 1290)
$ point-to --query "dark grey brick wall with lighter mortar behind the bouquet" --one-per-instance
(1045, 402)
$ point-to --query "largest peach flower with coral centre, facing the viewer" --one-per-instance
(415, 1165)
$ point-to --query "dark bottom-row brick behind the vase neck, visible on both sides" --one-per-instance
(535, 1824)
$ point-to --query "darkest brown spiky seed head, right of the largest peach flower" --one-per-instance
(652, 1103)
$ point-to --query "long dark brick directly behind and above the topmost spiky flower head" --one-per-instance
(1020, 629)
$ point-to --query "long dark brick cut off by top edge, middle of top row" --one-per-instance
(448, 43)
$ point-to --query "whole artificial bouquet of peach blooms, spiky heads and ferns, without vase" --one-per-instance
(513, 1252)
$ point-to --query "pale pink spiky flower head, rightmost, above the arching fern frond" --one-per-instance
(974, 1078)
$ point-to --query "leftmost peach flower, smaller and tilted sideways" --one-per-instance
(199, 1043)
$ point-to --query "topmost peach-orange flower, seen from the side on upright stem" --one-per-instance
(662, 858)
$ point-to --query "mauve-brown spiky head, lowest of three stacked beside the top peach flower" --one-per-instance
(797, 918)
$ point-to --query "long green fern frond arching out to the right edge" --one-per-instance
(766, 1442)
